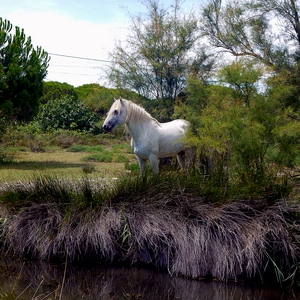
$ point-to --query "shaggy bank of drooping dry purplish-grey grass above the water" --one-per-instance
(151, 221)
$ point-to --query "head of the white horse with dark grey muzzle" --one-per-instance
(116, 115)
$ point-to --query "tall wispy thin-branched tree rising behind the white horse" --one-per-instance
(159, 54)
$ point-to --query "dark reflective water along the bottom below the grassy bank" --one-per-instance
(40, 280)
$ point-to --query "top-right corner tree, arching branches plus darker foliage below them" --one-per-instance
(267, 31)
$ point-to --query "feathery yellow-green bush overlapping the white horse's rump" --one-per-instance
(240, 136)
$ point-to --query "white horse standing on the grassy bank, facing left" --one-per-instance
(149, 139)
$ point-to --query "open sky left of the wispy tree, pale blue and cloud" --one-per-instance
(86, 29)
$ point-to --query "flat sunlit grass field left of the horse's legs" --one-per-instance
(65, 164)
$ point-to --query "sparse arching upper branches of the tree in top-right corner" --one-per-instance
(246, 28)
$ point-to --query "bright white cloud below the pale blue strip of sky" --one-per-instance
(60, 33)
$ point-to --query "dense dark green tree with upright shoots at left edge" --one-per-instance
(22, 70)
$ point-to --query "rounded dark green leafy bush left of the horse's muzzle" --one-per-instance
(66, 113)
